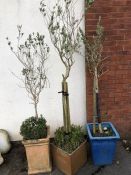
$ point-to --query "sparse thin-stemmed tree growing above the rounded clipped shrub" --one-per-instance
(32, 53)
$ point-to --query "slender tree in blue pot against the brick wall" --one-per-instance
(102, 135)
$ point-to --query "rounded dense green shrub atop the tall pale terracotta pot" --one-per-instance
(34, 128)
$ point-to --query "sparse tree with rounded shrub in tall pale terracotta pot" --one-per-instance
(32, 54)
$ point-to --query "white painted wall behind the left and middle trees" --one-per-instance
(14, 103)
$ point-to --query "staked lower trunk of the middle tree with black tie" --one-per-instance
(66, 109)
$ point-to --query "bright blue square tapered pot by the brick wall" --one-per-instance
(103, 148)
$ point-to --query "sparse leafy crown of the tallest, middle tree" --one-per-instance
(64, 29)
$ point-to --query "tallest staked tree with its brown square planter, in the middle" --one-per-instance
(64, 29)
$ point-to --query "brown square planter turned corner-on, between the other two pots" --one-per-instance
(69, 163)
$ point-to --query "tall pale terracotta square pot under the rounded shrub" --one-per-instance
(38, 155)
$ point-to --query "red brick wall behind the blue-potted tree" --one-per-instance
(115, 85)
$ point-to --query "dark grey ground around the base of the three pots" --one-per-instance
(16, 164)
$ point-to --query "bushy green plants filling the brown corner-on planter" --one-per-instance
(71, 141)
